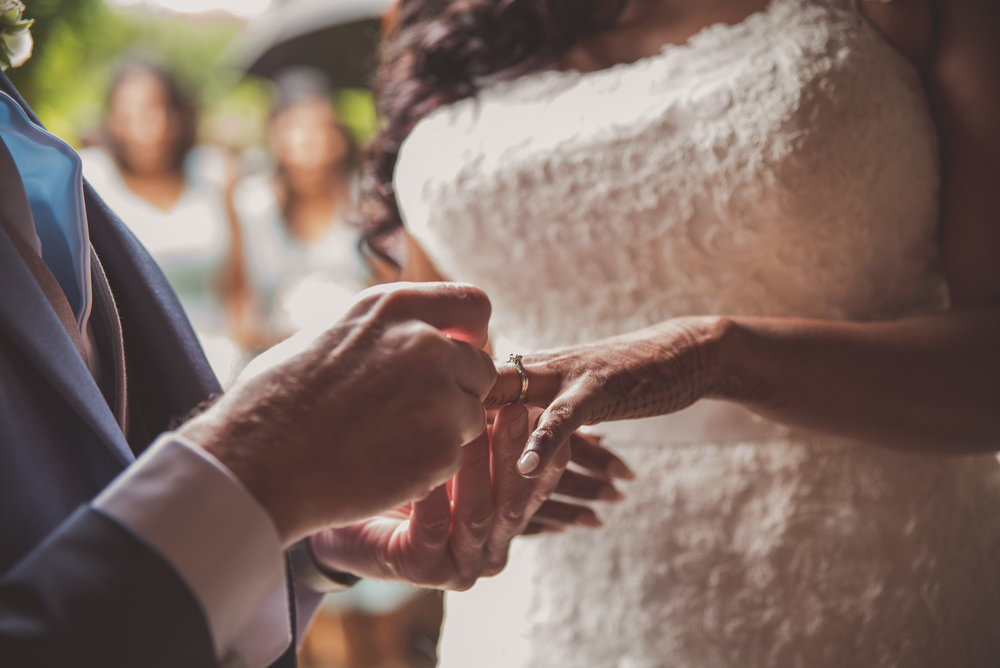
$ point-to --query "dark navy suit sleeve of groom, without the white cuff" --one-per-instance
(84, 596)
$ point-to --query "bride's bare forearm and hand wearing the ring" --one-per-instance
(919, 384)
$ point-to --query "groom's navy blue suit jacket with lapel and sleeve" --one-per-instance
(75, 587)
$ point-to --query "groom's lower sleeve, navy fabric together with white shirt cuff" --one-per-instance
(173, 564)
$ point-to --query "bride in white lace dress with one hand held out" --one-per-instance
(756, 241)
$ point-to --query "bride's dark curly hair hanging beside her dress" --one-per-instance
(438, 51)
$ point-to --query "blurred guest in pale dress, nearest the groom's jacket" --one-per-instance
(152, 175)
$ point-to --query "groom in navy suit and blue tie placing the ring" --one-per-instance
(123, 543)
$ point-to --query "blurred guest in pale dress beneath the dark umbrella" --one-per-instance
(300, 251)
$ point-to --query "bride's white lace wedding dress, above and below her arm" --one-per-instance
(782, 166)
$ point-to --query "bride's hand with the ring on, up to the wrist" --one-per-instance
(650, 372)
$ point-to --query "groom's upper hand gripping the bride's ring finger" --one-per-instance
(372, 415)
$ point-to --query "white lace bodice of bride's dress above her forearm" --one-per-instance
(784, 165)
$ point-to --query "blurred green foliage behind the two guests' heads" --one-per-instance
(79, 42)
